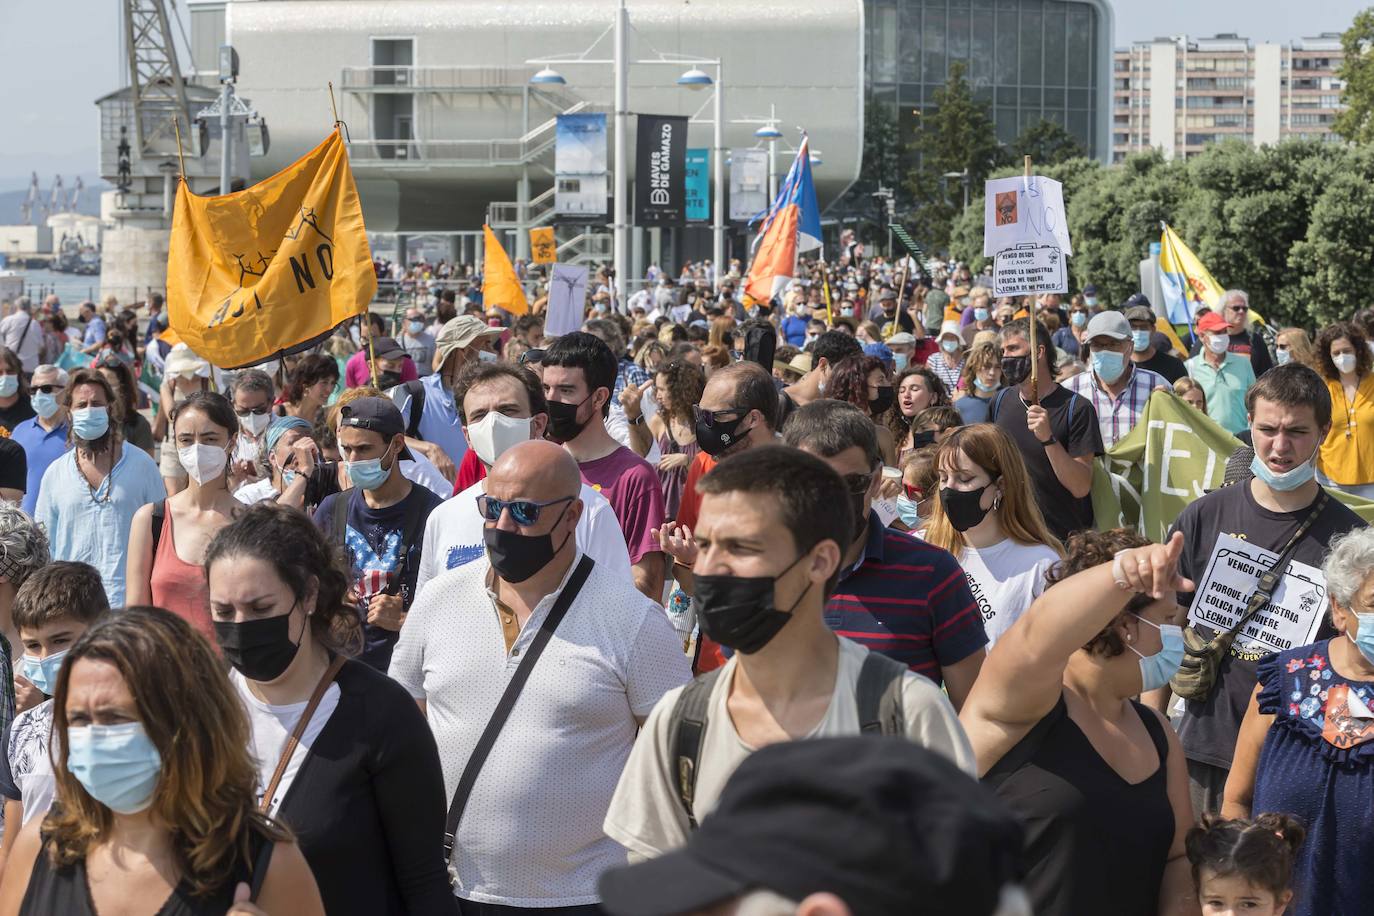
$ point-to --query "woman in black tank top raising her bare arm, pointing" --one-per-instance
(1060, 738)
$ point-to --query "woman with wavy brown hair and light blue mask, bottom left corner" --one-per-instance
(155, 789)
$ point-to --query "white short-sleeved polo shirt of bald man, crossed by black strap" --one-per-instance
(532, 830)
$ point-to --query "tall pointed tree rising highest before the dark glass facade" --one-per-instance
(957, 135)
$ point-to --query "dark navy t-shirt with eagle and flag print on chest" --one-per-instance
(384, 550)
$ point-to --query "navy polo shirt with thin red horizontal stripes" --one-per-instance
(909, 601)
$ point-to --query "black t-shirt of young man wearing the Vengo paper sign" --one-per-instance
(1208, 729)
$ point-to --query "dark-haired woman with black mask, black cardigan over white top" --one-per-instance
(363, 790)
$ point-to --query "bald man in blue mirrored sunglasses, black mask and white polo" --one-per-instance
(531, 833)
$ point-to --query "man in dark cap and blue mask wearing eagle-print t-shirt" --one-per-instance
(377, 521)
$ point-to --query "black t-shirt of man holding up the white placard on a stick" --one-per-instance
(1075, 425)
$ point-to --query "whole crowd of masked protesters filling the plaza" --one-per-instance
(274, 639)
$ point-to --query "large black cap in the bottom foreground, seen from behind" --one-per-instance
(881, 823)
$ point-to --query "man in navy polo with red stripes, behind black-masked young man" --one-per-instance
(897, 594)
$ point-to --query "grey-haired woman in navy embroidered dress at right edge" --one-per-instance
(1307, 745)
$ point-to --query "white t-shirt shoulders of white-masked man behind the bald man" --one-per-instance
(454, 535)
